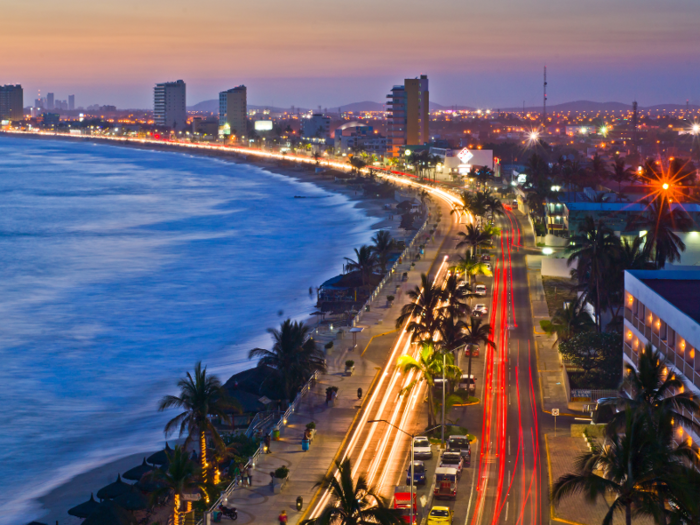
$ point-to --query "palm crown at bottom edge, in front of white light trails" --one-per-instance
(353, 503)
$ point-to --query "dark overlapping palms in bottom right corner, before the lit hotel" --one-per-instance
(643, 461)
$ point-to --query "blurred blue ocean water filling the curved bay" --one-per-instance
(119, 269)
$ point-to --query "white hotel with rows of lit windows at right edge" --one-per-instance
(662, 307)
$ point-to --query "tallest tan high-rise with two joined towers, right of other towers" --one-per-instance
(408, 115)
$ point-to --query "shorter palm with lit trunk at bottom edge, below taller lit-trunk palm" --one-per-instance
(180, 476)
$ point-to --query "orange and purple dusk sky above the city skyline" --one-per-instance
(311, 52)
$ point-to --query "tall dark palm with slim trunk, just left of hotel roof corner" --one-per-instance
(593, 247)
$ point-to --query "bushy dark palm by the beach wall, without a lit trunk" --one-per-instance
(293, 359)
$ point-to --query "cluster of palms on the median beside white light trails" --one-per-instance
(434, 318)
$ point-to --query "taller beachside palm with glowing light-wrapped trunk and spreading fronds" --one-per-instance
(201, 397)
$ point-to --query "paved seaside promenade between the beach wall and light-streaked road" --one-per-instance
(258, 503)
